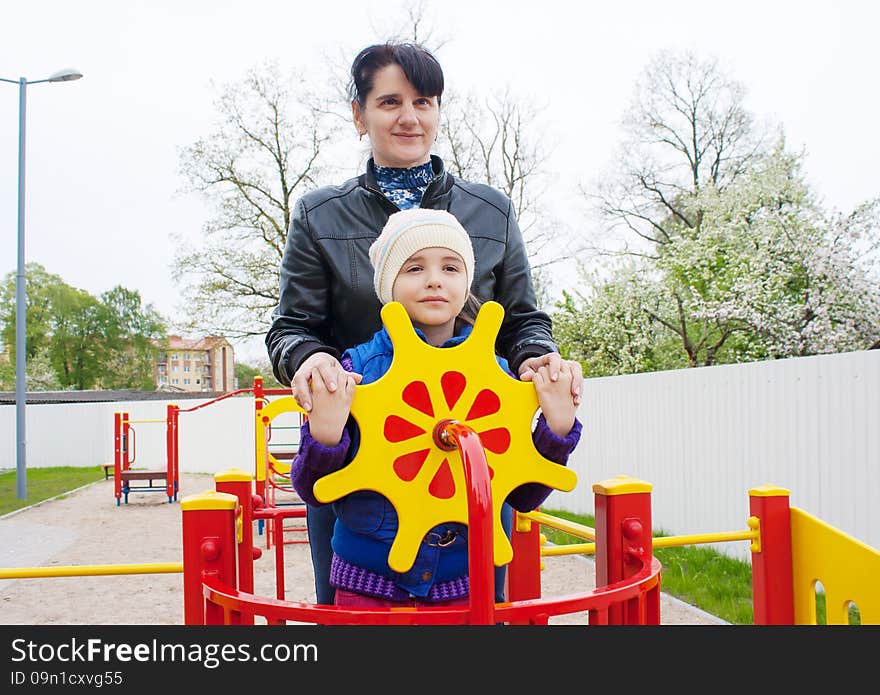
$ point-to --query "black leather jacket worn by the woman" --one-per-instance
(327, 301)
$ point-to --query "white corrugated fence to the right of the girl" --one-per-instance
(704, 437)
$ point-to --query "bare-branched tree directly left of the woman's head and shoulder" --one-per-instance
(265, 152)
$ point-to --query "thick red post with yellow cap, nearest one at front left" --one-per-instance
(209, 548)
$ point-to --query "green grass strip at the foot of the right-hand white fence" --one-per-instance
(698, 575)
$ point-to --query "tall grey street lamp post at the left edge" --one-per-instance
(20, 287)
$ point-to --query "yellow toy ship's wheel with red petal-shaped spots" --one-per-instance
(399, 413)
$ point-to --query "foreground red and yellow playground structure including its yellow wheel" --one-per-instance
(449, 448)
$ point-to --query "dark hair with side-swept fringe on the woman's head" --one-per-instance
(420, 67)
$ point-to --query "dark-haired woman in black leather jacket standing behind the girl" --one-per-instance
(327, 301)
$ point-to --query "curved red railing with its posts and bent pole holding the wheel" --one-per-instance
(218, 555)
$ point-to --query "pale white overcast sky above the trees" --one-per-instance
(102, 152)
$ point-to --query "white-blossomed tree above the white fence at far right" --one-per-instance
(769, 262)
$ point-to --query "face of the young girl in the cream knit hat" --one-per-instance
(432, 286)
